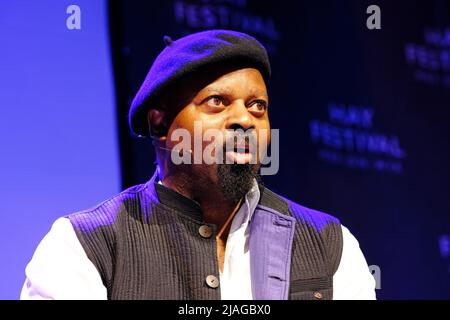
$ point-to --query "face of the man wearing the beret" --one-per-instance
(227, 101)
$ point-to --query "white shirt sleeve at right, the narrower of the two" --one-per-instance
(353, 279)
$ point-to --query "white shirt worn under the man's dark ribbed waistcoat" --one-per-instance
(60, 268)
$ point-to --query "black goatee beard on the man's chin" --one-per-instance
(236, 180)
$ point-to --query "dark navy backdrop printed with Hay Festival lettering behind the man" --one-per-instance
(363, 116)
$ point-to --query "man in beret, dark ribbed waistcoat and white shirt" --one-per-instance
(201, 230)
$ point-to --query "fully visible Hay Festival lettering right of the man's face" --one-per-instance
(348, 138)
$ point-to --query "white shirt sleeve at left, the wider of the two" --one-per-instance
(60, 268)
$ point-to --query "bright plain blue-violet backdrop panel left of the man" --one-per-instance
(58, 137)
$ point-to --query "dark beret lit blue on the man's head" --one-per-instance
(190, 54)
